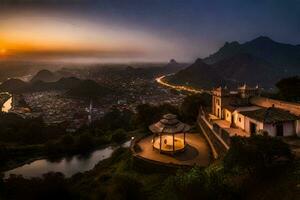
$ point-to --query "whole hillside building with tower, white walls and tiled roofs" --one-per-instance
(238, 110)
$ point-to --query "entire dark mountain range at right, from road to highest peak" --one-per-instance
(261, 61)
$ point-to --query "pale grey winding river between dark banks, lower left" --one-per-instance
(67, 165)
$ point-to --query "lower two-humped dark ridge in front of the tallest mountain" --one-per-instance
(233, 71)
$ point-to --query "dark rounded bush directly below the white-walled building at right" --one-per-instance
(255, 154)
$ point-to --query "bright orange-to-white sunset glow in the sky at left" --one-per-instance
(39, 36)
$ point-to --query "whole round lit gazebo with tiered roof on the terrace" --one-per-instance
(166, 134)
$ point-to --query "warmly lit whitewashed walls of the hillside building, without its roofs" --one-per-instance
(236, 119)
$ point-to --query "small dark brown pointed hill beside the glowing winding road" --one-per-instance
(198, 74)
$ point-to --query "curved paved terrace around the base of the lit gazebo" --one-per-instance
(196, 153)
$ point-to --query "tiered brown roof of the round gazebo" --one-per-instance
(169, 124)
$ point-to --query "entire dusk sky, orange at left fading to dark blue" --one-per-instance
(139, 30)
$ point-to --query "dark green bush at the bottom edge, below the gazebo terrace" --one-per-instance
(197, 183)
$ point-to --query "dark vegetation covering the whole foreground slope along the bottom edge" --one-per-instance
(119, 178)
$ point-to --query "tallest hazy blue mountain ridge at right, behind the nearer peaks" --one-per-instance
(285, 57)
